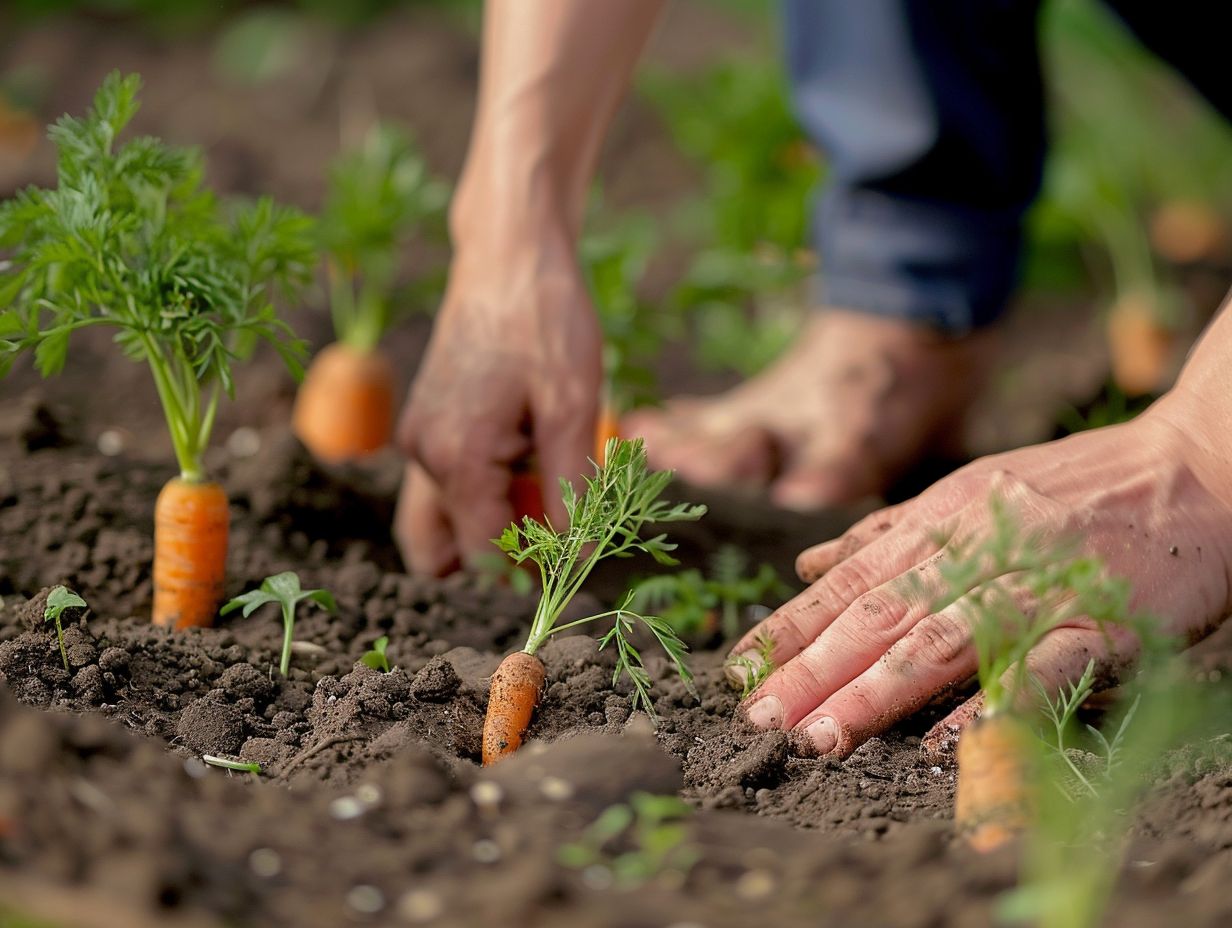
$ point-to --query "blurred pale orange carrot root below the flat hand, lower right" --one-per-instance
(992, 803)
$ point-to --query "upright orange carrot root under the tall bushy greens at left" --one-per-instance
(190, 553)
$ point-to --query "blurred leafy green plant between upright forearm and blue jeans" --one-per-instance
(744, 289)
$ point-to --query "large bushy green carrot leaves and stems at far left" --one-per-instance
(131, 238)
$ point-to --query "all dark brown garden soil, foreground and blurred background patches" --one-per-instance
(371, 808)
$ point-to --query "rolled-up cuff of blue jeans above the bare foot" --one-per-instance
(938, 264)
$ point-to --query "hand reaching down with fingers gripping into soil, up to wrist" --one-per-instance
(511, 381)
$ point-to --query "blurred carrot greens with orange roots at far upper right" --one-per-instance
(1139, 181)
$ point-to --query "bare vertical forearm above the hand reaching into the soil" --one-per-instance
(551, 78)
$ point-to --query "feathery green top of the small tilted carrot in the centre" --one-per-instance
(607, 521)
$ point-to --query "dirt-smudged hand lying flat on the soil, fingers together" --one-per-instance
(863, 649)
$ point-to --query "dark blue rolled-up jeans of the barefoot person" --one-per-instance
(932, 116)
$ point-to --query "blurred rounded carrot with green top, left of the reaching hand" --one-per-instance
(379, 195)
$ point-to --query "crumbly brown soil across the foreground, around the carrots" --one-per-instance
(371, 809)
